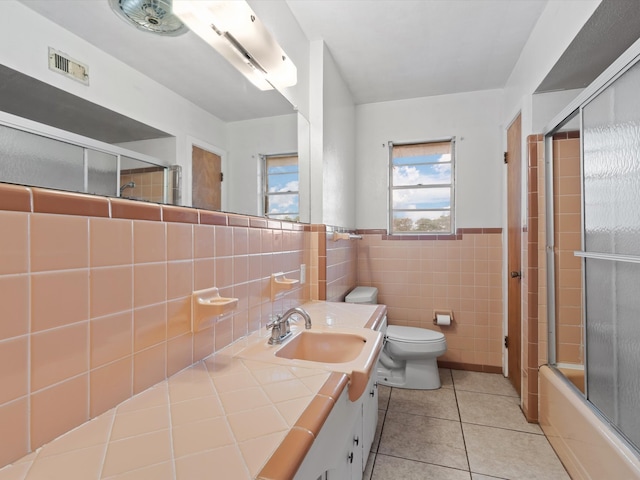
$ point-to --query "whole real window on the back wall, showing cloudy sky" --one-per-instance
(422, 187)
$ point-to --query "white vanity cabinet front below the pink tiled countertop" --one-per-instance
(341, 450)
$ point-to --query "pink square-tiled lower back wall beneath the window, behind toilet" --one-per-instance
(416, 277)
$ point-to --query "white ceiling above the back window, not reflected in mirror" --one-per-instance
(397, 49)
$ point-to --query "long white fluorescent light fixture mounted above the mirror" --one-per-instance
(234, 30)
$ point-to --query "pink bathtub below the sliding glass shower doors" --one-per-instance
(585, 443)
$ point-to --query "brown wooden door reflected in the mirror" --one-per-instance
(206, 179)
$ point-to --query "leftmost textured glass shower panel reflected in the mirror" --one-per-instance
(30, 159)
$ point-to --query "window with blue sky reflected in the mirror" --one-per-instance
(281, 196)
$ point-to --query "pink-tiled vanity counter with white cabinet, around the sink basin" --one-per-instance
(235, 416)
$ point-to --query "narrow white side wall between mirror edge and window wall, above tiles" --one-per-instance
(339, 152)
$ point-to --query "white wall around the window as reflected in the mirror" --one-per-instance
(247, 140)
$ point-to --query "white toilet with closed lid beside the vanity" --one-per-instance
(408, 359)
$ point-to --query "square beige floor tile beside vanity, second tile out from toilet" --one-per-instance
(425, 439)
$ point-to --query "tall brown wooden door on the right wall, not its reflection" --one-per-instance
(514, 209)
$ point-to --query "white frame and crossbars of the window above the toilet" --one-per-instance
(452, 187)
